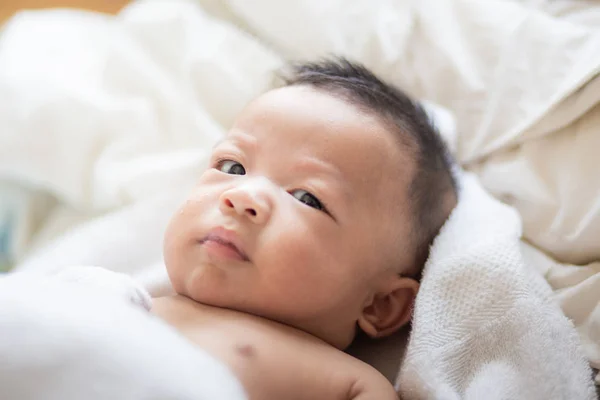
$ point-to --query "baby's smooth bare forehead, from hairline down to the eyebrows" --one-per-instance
(302, 123)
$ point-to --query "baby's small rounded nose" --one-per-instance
(246, 202)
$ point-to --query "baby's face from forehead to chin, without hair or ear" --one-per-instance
(300, 216)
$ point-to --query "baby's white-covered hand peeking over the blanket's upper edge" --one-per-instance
(116, 283)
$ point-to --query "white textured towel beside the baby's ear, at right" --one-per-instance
(485, 325)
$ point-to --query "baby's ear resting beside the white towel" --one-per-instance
(391, 308)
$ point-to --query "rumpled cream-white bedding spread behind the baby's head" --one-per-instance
(107, 121)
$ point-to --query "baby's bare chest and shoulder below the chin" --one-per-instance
(275, 361)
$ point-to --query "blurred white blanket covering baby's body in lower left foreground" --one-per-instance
(64, 341)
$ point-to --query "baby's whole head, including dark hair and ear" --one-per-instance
(318, 207)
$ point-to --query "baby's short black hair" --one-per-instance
(433, 189)
